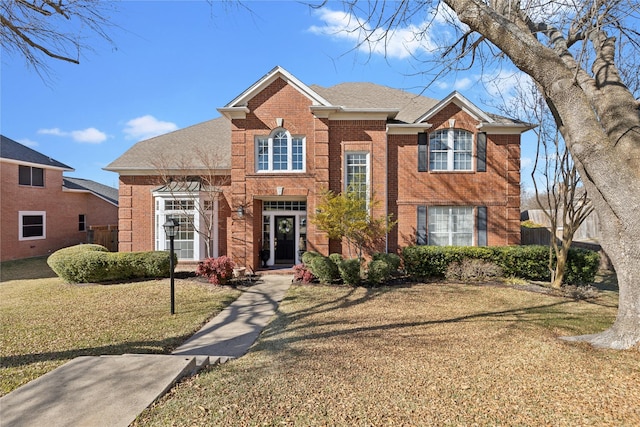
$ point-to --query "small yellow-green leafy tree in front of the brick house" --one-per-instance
(348, 215)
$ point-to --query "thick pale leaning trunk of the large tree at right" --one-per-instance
(600, 122)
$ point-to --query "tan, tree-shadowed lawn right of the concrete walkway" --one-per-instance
(425, 354)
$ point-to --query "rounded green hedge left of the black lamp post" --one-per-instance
(94, 263)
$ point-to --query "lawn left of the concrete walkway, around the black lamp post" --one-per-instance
(46, 322)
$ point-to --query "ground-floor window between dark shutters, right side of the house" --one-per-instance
(450, 226)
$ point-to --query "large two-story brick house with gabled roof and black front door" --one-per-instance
(446, 170)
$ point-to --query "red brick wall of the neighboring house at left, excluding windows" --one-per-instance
(62, 211)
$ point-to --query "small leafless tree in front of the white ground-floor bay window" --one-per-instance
(195, 181)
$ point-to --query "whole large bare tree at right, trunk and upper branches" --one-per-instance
(573, 51)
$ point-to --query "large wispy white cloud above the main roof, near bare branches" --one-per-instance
(401, 43)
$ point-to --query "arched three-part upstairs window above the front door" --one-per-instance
(280, 152)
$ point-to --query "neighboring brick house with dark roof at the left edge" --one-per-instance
(42, 210)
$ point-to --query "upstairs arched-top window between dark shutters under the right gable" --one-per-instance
(450, 150)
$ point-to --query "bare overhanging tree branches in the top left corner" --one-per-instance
(40, 29)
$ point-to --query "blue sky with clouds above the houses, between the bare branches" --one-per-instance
(173, 63)
